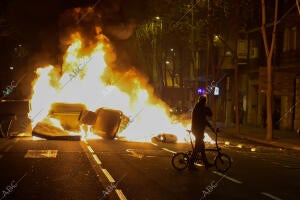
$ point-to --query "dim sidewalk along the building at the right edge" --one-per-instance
(281, 138)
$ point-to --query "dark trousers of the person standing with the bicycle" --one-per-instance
(199, 147)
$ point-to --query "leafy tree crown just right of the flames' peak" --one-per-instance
(163, 30)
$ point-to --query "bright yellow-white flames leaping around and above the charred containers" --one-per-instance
(88, 77)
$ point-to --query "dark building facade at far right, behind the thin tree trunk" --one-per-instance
(285, 72)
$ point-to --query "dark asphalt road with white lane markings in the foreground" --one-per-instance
(118, 169)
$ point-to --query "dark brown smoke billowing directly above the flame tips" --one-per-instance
(114, 21)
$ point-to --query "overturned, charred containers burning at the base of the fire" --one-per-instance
(64, 119)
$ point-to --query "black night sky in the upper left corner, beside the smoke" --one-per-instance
(33, 24)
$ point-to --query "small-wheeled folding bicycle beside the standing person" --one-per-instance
(222, 161)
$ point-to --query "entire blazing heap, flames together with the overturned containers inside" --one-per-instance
(88, 96)
